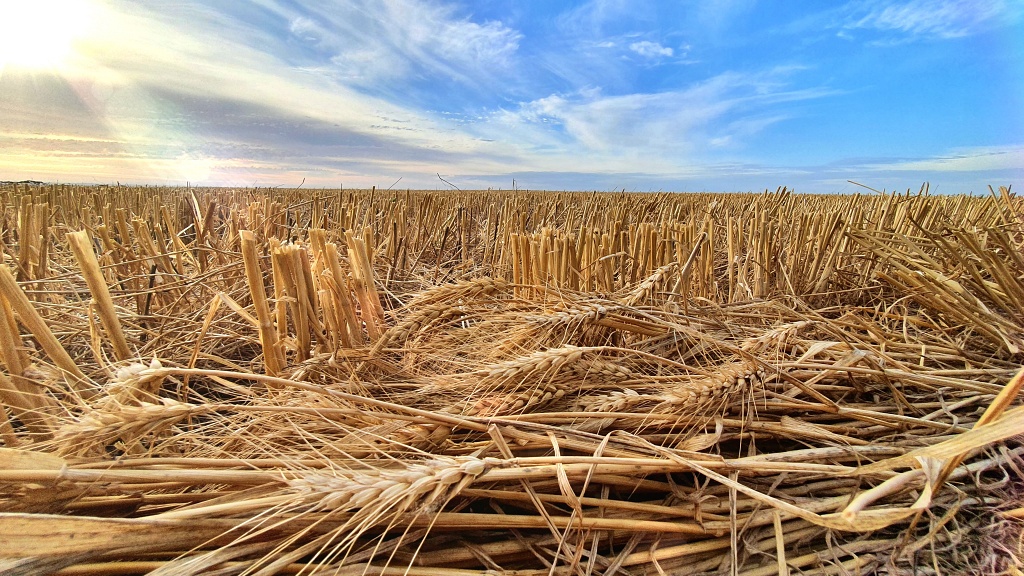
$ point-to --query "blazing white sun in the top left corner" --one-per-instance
(41, 34)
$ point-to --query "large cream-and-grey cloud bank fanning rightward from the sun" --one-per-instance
(235, 99)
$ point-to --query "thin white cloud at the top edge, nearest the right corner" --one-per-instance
(930, 19)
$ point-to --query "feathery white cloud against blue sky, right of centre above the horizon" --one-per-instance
(669, 128)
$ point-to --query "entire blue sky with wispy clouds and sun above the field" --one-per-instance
(721, 96)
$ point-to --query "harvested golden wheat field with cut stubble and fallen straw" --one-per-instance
(231, 382)
